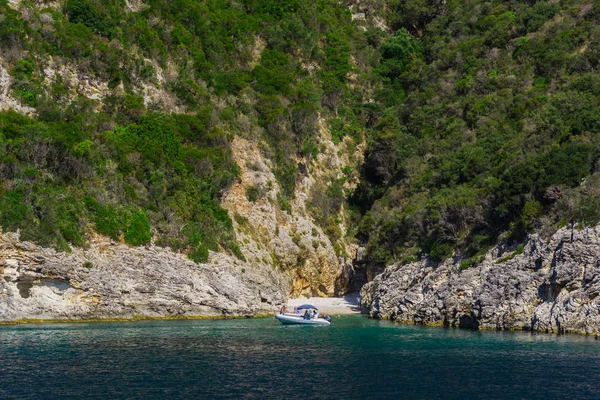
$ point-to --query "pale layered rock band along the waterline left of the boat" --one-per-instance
(111, 280)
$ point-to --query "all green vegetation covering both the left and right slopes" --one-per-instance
(481, 118)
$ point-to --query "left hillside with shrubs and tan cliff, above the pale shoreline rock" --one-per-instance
(200, 126)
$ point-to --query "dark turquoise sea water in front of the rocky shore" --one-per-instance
(355, 358)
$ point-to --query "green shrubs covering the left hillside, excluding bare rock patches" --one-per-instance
(127, 168)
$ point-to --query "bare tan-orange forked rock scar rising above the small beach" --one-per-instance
(290, 242)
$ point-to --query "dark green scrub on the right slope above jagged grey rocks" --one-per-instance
(486, 127)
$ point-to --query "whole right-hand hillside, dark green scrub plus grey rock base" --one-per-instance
(480, 186)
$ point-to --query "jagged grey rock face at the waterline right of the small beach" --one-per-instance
(552, 286)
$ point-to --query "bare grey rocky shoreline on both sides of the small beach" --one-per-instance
(546, 285)
